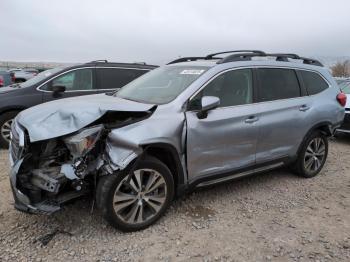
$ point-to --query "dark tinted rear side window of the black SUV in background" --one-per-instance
(115, 78)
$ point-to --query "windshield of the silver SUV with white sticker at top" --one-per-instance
(162, 85)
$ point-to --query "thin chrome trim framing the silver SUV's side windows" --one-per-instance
(255, 67)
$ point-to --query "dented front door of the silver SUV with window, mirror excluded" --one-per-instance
(226, 139)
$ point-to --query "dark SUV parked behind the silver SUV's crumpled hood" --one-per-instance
(84, 79)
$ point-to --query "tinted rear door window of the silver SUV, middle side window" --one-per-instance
(277, 83)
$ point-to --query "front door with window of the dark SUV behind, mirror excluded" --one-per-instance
(77, 82)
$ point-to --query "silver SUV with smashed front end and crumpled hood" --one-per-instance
(194, 122)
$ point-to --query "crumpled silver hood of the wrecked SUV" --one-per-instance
(65, 116)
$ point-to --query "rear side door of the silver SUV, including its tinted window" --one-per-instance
(284, 112)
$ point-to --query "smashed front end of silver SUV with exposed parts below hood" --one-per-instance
(45, 174)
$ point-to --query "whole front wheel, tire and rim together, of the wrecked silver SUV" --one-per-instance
(136, 204)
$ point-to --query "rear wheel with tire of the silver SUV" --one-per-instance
(312, 155)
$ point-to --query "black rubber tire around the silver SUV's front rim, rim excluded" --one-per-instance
(107, 187)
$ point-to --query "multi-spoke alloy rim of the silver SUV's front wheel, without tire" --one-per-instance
(140, 196)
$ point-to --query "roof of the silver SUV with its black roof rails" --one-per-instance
(250, 57)
